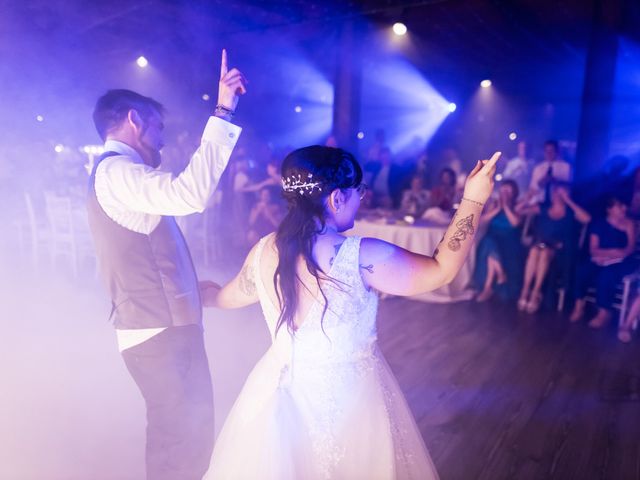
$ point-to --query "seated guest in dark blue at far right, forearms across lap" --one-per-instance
(611, 243)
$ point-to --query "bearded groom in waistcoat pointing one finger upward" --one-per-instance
(146, 265)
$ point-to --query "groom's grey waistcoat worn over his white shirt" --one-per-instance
(151, 278)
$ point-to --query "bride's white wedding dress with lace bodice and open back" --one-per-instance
(322, 403)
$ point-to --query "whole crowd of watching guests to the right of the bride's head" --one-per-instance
(540, 243)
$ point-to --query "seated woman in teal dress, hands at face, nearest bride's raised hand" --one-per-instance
(499, 254)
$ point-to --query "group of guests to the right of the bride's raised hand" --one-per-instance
(544, 241)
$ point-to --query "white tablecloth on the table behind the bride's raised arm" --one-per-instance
(423, 240)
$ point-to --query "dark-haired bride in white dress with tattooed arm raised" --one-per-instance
(322, 402)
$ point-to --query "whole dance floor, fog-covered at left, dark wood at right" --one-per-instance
(497, 394)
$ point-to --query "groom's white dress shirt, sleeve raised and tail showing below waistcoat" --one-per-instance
(136, 196)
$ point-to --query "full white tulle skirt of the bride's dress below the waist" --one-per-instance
(346, 422)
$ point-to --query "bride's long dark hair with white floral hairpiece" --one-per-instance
(309, 176)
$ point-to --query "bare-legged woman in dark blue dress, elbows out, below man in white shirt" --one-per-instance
(553, 228)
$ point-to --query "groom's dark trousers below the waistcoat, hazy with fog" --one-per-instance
(172, 372)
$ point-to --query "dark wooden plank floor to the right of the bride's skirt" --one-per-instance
(500, 394)
